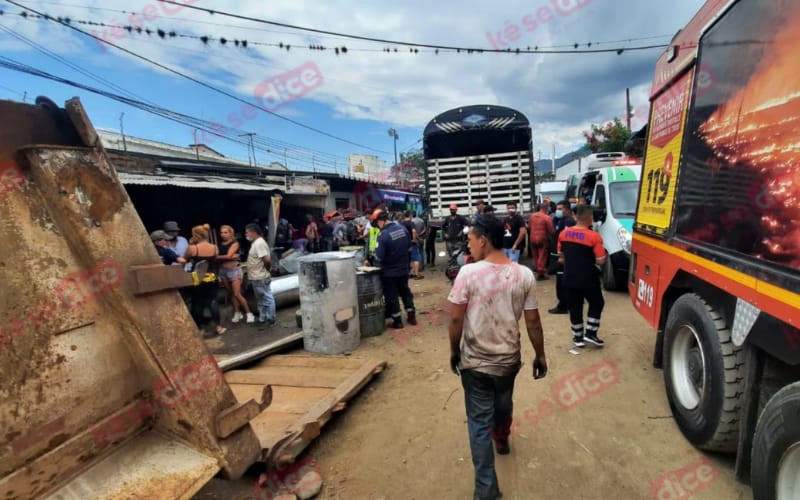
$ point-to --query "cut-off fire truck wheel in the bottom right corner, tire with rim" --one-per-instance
(775, 473)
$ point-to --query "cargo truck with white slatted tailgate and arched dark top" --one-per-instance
(478, 152)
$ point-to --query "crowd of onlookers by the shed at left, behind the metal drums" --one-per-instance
(226, 256)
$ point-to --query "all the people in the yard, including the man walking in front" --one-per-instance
(484, 336)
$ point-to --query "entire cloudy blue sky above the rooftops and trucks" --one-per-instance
(356, 96)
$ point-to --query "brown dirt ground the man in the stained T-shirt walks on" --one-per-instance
(405, 436)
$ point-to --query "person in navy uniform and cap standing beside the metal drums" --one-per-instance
(392, 256)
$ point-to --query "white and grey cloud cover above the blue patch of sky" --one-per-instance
(560, 94)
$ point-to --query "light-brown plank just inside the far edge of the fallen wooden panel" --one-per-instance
(289, 376)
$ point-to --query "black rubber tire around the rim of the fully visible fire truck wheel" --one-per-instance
(714, 424)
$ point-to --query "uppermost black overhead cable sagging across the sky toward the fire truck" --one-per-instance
(408, 44)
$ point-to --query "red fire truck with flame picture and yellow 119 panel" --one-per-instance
(715, 265)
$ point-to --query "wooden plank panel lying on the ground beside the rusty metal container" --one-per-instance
(307, 389)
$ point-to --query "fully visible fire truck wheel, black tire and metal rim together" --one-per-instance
(703, 375)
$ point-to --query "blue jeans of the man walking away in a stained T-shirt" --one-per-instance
(489, 403)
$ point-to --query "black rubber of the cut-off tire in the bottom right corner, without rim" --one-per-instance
(778, 429)
